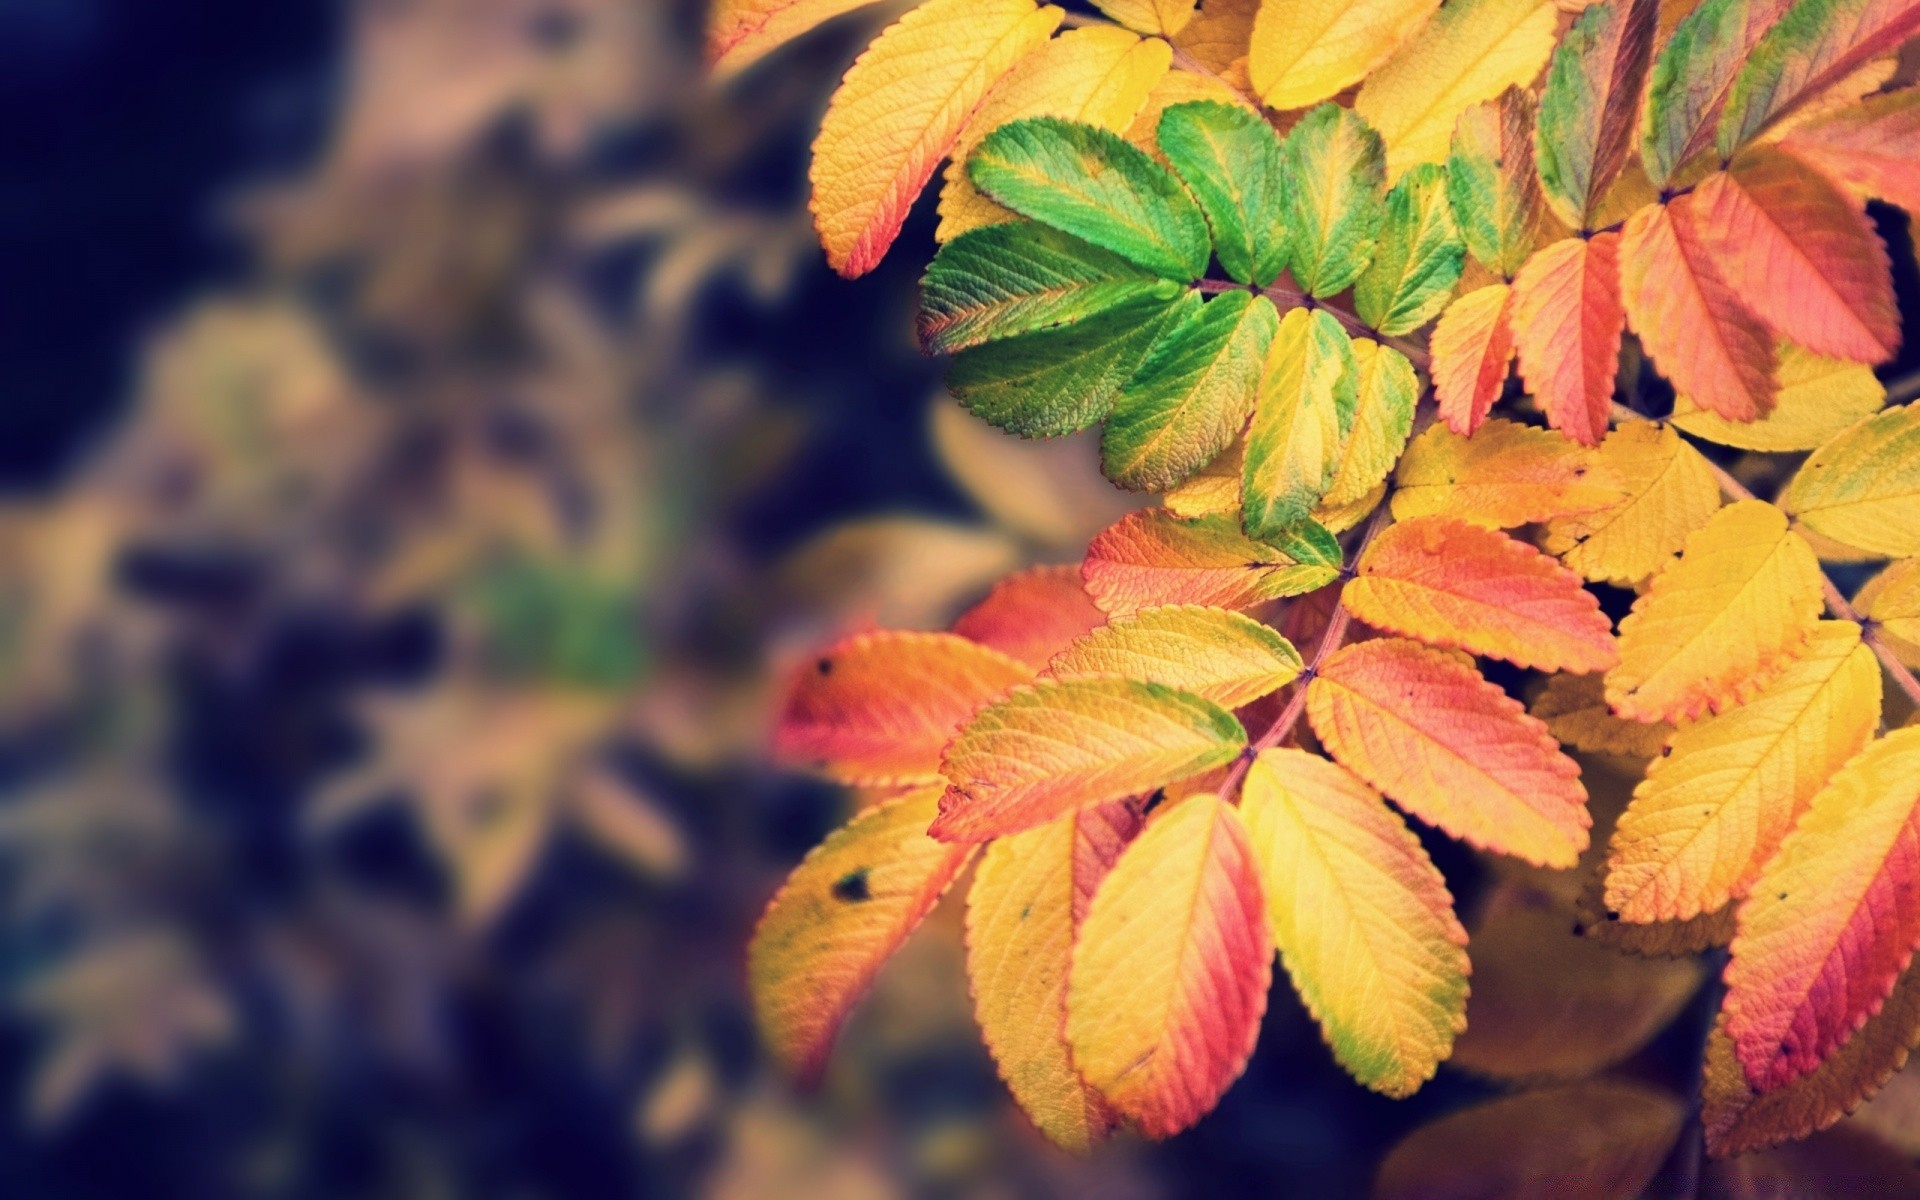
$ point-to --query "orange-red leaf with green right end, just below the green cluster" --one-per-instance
(1161, 560)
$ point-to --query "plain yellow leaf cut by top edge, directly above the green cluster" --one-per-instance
(1308, 51)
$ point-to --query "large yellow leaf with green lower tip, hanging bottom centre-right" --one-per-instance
(1362, 919)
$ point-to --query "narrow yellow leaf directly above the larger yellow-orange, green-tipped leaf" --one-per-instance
(1212, 654)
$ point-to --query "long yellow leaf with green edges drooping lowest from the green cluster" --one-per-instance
(1301, 423)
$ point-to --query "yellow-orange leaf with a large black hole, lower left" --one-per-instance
(838, 919)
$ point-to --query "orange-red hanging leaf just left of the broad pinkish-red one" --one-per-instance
(1696, 327)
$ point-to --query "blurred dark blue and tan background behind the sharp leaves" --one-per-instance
(427, 429)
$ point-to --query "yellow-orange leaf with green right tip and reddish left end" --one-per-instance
(1055, 748)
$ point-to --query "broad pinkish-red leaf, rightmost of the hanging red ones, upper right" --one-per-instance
(1802, 254)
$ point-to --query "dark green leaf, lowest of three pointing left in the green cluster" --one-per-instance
(1059, 381)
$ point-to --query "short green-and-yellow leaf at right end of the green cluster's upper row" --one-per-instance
(1420, 256)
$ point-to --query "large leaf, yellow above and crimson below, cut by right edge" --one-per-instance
(1833, 921)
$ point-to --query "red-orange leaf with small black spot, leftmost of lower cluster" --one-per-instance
(876, 709)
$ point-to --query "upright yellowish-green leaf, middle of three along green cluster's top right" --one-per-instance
(1335, 199)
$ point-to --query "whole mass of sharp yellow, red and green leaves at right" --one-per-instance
(1410, 201)
